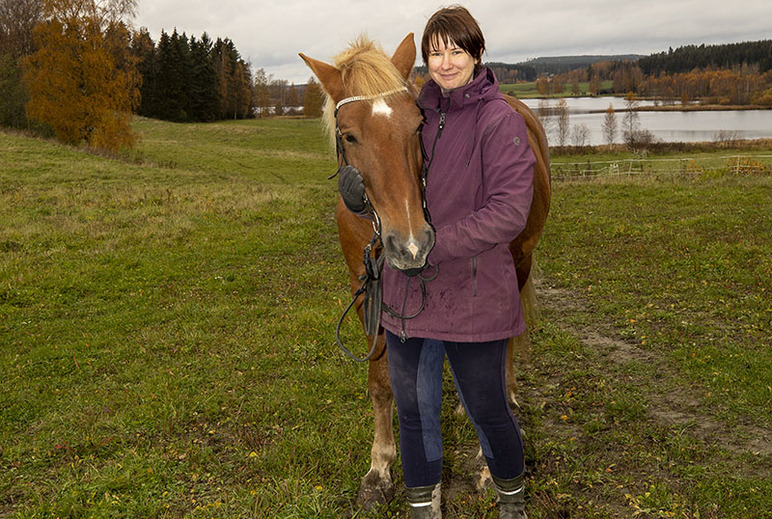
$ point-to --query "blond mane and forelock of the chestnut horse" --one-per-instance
(366, 70)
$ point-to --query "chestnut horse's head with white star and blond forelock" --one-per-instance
(372, 115)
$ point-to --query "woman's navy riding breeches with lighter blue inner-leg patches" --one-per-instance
(415, 369)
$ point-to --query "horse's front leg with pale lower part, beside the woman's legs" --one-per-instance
(377, 486)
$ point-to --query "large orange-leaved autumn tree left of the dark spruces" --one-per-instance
(81, 83)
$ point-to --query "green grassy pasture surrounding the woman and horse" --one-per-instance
(167, 338)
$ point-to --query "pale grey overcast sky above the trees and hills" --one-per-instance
(270, 33)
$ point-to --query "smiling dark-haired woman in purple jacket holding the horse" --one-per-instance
(479, 187)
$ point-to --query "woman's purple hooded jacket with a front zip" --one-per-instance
(478, 193)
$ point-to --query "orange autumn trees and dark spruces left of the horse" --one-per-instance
(75, 69)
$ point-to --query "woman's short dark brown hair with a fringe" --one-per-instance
(456, 25)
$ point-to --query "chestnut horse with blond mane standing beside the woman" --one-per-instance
(371, 117)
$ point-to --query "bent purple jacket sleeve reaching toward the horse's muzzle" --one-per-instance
(507, 175)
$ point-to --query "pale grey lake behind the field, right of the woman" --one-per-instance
(665, 126)
